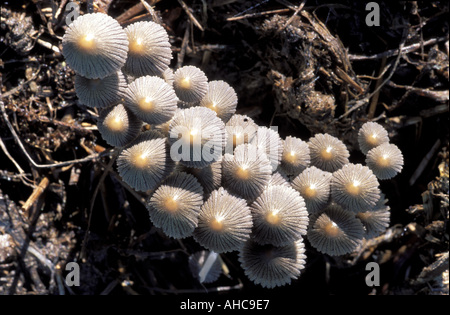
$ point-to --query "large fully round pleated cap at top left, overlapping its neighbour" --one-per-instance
(95, 45)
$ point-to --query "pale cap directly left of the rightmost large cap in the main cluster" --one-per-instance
(313, 184)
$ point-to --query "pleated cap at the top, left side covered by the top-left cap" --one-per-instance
(149, 50)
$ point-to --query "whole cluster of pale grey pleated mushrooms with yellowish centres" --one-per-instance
(214, 175)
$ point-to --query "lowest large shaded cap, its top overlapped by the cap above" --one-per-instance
(271, 266)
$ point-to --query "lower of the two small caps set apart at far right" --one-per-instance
(385, 160)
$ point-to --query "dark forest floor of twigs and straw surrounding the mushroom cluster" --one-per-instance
(303, 66)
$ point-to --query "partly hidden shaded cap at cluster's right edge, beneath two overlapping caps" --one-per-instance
(377, 220)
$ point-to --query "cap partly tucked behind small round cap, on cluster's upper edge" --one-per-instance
(221, 98)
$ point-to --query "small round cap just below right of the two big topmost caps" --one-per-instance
(190, 84)
